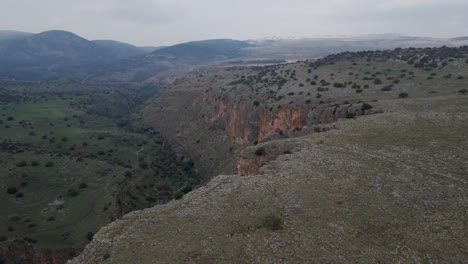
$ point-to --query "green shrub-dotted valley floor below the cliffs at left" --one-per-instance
(71, 163)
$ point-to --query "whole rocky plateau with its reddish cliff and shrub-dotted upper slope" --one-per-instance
(355, 158)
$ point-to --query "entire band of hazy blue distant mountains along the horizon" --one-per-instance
(54, 54)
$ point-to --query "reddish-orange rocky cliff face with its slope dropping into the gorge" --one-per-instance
(215, 123)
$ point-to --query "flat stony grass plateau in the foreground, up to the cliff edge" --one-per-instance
(383, 188)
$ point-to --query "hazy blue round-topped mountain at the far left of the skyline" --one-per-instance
(54, 53)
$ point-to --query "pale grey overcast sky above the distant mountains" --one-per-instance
(163, 22)
